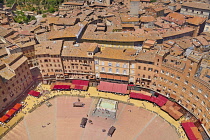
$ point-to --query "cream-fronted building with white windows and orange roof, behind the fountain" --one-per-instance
(113, 64)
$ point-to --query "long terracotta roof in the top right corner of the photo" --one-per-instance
(197, 5)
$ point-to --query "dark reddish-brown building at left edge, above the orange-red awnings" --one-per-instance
(15, 78)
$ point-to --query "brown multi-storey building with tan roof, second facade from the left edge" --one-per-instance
(48, 55)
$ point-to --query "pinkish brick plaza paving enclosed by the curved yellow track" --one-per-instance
(62, 122)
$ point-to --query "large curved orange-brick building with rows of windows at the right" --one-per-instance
(178, 80)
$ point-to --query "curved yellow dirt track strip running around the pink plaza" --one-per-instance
(32, 103)
